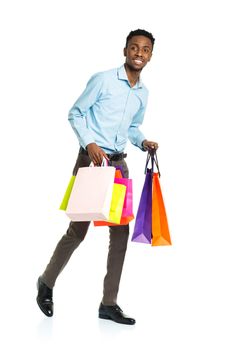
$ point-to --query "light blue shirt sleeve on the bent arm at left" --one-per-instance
(78, 113)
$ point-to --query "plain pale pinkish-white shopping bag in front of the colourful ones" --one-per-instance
(91, 194)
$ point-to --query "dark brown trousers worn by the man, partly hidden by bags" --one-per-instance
(74, 236)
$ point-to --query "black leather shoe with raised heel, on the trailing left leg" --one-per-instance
(44, 298)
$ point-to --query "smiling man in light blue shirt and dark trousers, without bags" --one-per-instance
(109, 111)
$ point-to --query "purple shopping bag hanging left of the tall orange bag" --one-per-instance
(143, 224)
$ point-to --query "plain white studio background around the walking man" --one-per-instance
(49, 49)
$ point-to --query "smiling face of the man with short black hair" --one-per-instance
(138, 52)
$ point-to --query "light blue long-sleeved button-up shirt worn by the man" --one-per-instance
(110, 111)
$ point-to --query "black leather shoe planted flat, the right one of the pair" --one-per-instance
(115, 314)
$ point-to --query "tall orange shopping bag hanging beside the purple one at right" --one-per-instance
(160, 228)
